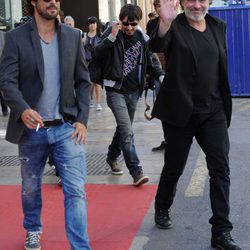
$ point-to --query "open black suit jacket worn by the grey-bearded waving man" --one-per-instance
(174, 103)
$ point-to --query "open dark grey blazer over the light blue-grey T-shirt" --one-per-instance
(22, 75)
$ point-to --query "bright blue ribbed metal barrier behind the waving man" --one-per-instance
(237, 17)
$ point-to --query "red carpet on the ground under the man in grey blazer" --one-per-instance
(115, 213)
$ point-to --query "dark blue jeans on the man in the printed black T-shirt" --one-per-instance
(123, 107)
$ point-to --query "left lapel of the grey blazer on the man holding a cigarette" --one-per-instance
(37, 50)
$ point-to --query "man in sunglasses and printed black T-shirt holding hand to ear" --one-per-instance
(126, 56)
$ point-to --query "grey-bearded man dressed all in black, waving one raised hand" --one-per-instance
(194, 101)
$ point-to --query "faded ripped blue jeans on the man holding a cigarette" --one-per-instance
(70, 161)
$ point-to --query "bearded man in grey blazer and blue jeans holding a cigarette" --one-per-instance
(45, 81)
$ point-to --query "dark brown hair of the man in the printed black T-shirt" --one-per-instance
(133, 12)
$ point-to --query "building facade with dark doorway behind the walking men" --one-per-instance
(11, 11)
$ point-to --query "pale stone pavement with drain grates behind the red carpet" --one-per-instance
(101, 127)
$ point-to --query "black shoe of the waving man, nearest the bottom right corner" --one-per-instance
(224, 242)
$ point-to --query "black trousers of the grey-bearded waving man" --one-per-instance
(211, 133)
